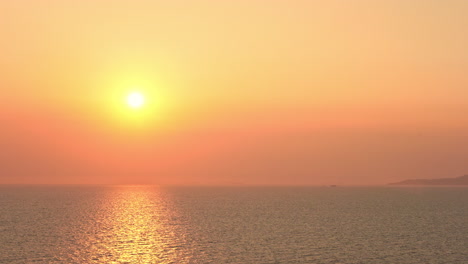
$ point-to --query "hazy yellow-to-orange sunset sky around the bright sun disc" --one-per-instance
(237, 92)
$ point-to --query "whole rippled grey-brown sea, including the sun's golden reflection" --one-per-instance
(146, 224)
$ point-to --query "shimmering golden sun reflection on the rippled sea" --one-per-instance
(134, 227)
